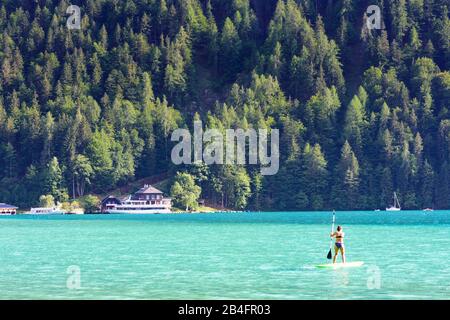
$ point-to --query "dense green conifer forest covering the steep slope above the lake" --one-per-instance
(362, 113)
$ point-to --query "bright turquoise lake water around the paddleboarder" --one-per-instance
(224, 256)
